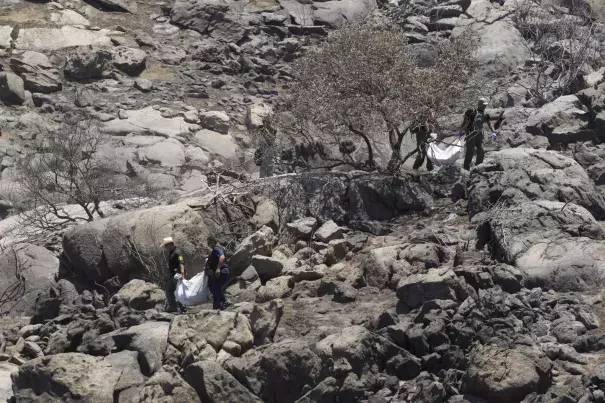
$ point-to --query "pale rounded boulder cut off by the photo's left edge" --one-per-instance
(26, 273)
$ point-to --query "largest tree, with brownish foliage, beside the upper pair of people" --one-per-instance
(361, 91)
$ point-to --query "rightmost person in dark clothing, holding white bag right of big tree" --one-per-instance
(472, 127)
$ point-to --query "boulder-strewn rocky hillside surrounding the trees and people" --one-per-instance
(444, 286)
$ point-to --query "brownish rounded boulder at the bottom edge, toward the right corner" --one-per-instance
(505, 375)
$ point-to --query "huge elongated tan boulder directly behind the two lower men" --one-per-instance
(128, 245)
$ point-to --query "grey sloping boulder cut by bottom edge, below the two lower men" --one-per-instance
(215, 385)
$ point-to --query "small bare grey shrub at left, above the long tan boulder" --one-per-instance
(66, 168)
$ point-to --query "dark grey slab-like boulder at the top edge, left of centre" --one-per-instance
(208, 17)
